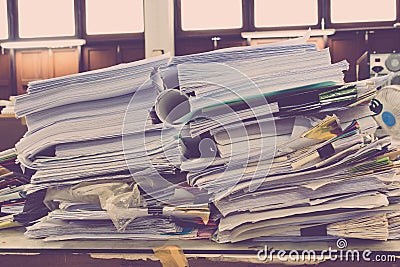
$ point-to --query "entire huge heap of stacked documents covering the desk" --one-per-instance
(263, 143)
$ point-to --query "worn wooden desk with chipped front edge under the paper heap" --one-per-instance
(16, 250)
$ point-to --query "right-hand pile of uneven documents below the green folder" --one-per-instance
(325, 173)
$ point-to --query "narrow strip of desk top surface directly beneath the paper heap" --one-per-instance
(13, 240)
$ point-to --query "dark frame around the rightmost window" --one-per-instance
(361, 25)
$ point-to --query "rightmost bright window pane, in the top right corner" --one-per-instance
(343, 11)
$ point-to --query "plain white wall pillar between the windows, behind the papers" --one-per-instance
(159, 26)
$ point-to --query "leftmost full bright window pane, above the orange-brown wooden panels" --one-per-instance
(46, 18)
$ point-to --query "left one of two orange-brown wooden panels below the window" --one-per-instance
(31, 65)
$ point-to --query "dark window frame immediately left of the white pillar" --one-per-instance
(107, 37)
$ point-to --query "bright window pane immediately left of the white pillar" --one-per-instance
(117, 16)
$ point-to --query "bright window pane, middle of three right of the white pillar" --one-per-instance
(272, 13)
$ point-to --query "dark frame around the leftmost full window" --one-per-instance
(15, 22)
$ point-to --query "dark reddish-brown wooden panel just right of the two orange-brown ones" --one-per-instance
(97, 57)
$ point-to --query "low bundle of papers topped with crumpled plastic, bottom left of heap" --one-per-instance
(87, 211)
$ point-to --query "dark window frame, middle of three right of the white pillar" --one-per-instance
(320, 15)
